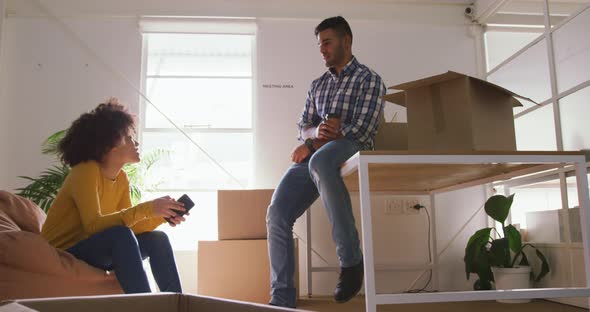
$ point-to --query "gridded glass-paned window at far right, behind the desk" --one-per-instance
(540, 58)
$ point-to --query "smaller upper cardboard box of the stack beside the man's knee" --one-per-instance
(241, 214)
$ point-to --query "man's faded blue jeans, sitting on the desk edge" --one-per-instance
(299, 188)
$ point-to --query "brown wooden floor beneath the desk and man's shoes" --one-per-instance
(325, 304)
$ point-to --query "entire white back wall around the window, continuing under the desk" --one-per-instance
(50, 80)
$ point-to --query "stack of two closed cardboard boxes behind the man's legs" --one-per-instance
(236, 266)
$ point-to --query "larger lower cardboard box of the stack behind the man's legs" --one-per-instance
(237, 269)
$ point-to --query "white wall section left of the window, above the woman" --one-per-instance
(49, 81)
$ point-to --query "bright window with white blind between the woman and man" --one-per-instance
(198, 118)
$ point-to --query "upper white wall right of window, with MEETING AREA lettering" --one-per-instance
(288, 54)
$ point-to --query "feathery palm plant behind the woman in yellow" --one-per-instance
(43, 189)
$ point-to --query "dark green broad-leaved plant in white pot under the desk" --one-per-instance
(483, 251)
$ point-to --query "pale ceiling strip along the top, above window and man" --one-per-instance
(428, 11)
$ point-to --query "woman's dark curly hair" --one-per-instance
(94, 134)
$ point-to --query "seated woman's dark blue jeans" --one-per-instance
(118, 249)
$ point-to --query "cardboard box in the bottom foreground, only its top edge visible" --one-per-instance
(156, 302)
